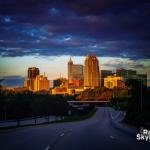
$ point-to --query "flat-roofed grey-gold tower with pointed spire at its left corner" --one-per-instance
(75, 72)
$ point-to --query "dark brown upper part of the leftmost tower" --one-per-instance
(33, 72)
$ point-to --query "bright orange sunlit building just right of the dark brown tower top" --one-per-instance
(41, 83)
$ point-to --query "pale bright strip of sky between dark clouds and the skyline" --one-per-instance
(107, 63)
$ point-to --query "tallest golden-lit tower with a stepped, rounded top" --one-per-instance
(91, 72)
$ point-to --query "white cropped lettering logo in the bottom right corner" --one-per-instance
(143, 135)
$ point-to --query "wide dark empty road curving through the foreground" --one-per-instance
(101, 132)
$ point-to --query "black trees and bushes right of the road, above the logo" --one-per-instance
(137, 105)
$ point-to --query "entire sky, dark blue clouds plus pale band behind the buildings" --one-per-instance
(45, 33)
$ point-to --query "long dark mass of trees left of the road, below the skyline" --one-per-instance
(28, 104)
